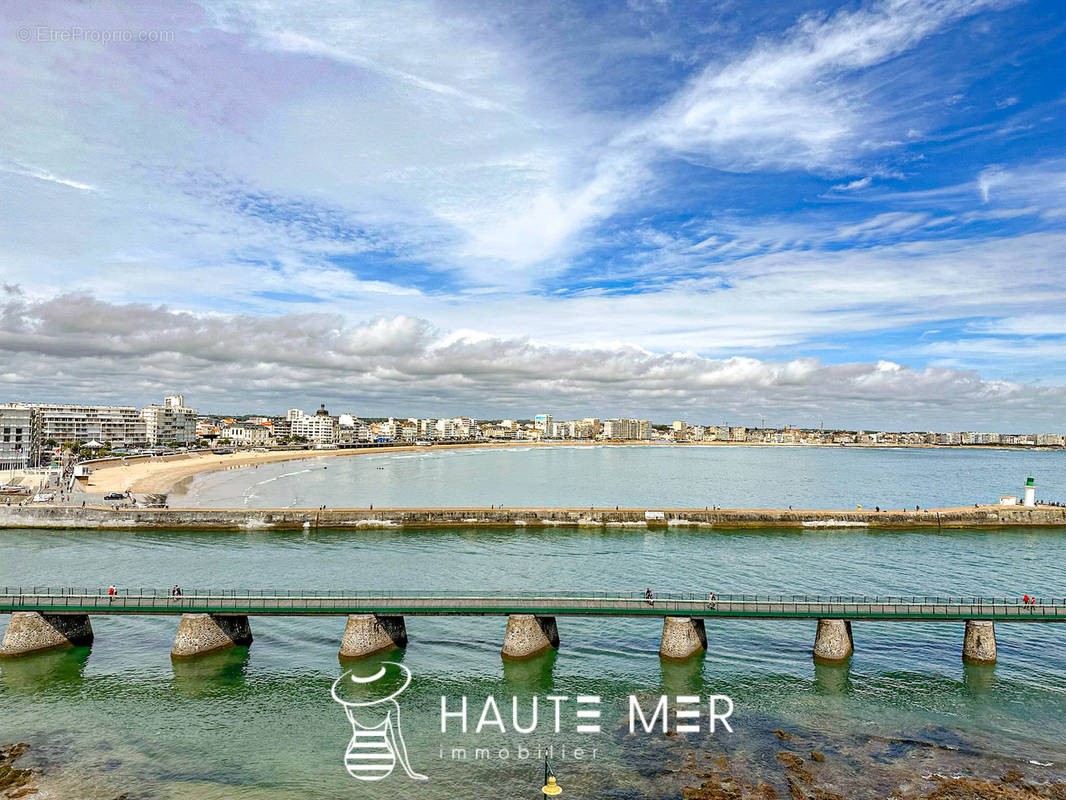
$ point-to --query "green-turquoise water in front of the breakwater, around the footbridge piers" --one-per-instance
(259, 723)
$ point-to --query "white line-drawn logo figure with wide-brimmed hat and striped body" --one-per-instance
(370, 703)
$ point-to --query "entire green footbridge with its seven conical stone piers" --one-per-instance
(47, 617)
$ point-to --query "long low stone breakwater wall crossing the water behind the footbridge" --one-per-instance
(74, 518)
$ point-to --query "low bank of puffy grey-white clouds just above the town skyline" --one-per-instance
(62, 347)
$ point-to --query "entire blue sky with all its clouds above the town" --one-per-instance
(716, 211)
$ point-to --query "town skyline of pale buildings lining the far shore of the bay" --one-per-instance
(36, 435)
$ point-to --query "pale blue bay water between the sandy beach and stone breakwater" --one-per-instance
(651, 476)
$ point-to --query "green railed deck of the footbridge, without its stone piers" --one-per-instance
(295, 602)
